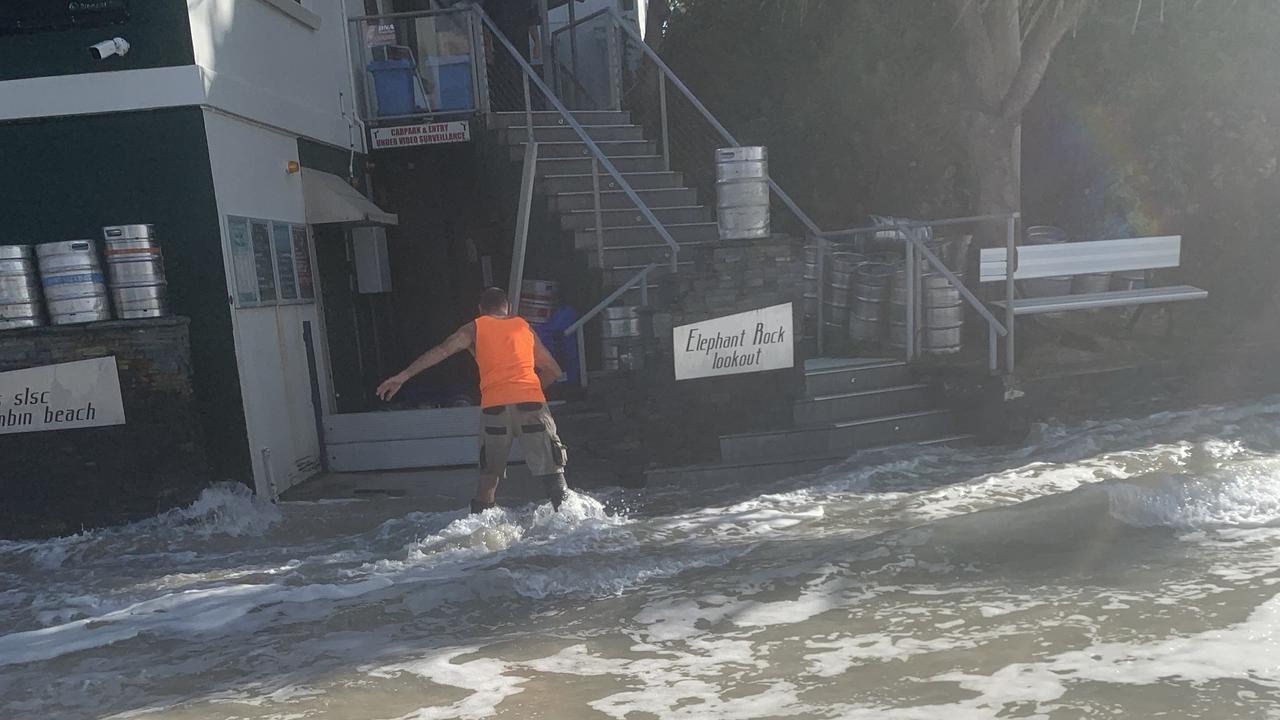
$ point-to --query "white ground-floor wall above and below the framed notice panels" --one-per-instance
(250, 180)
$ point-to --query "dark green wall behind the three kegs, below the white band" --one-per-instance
(66, 179)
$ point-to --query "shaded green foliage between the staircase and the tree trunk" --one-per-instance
(852, 98)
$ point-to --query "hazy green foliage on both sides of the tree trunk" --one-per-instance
(1163, 127)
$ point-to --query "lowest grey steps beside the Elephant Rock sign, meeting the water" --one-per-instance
(848, 405)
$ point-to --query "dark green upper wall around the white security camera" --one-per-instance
(159, 34)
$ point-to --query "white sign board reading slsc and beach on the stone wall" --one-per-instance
(62, 398)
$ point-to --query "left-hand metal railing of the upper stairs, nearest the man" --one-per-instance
(529, 81)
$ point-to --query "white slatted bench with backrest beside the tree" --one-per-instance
(1082, 258)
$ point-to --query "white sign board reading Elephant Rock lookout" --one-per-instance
(747, 343)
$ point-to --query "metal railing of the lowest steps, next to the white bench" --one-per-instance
(918, 256)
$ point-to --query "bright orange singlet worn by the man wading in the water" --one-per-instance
(505, 352)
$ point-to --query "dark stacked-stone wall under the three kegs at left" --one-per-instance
(61, 482)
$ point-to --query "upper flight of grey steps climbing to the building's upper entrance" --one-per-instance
(565, 181)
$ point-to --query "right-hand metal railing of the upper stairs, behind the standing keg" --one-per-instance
(660, 115)
